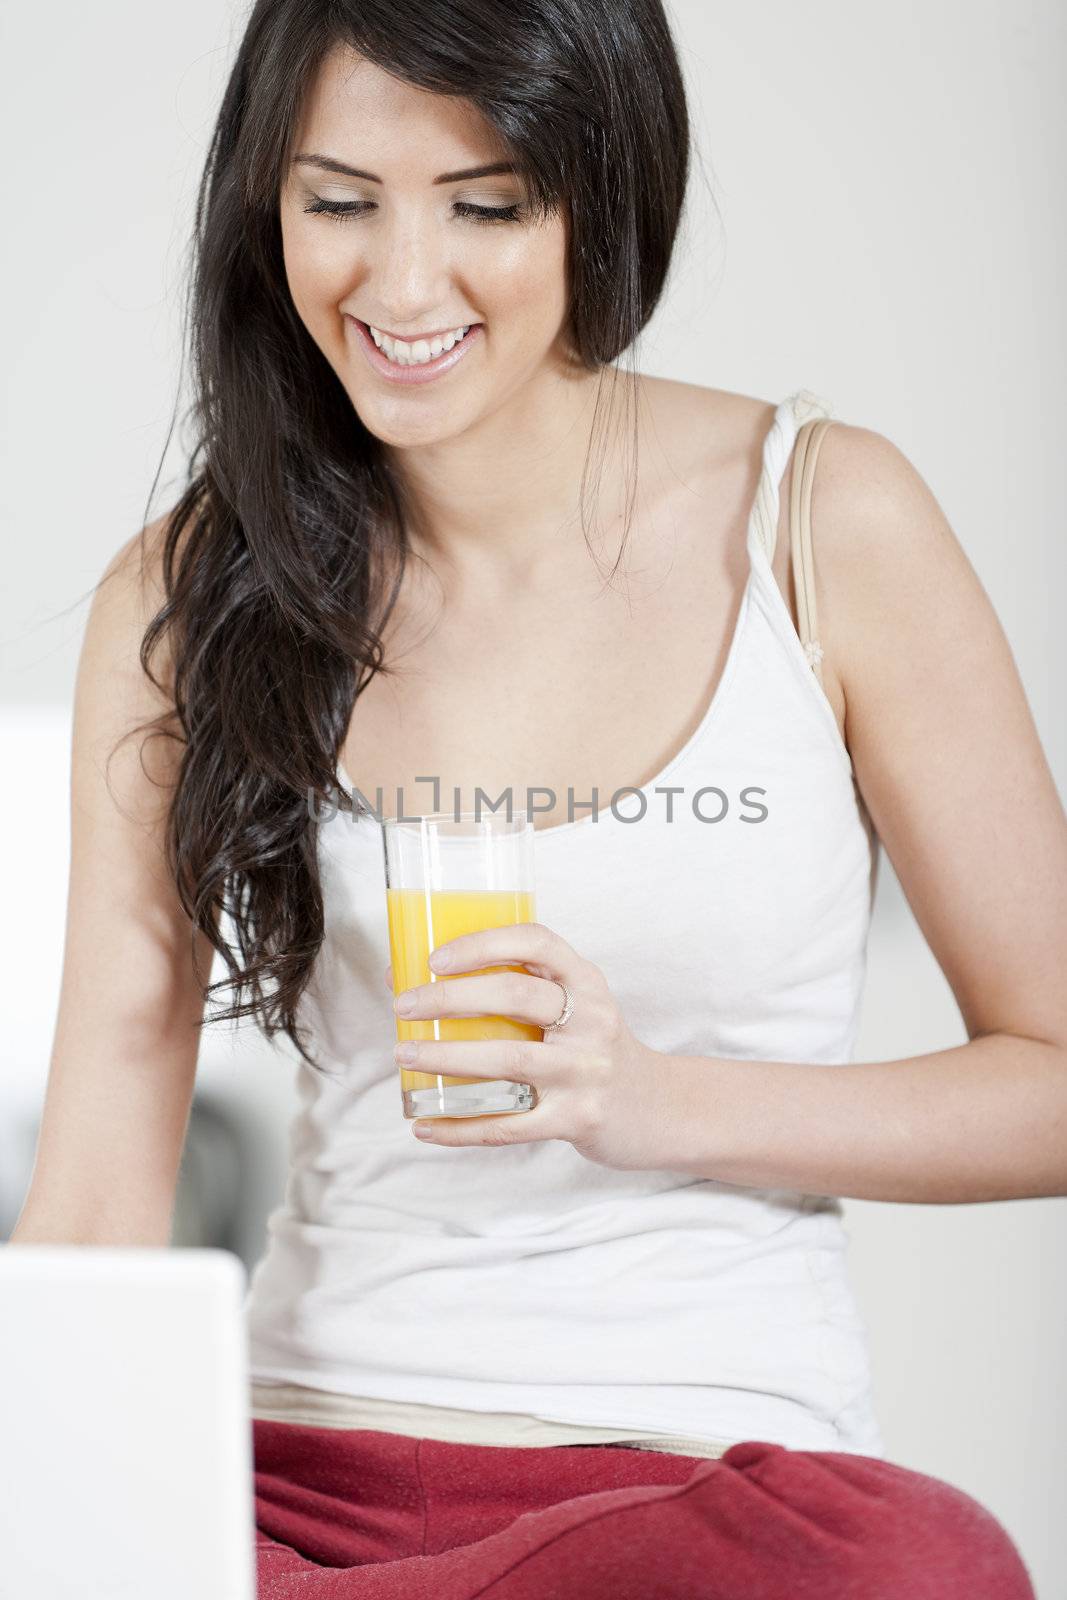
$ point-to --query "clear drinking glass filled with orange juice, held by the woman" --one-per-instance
(450, 874)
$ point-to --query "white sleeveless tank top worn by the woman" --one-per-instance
(526, 1295)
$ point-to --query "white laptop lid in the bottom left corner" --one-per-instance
(126, 1428)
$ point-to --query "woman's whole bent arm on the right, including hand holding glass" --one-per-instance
(949, 762)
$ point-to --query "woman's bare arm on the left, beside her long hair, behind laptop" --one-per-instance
(126, 1046)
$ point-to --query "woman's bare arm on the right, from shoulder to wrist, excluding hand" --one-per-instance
(951, 767)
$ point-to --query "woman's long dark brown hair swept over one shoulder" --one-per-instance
(273, 559)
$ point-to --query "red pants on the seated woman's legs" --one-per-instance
(354, 1514)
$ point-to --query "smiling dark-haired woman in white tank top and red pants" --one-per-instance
(433, 532)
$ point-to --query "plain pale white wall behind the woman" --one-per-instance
(879, 217)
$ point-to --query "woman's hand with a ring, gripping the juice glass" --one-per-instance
(596, 1084)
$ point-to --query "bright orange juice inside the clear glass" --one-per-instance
(420, 921)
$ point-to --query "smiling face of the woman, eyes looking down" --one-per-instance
(401, 246)
